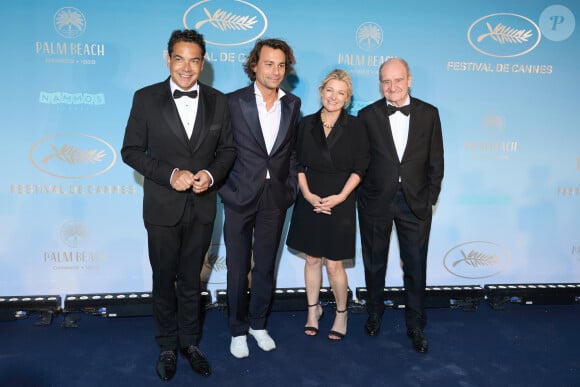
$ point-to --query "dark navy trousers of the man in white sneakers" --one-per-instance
(248, 236)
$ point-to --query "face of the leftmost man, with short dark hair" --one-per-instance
(185, 64)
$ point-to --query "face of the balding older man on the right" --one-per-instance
(395, 82)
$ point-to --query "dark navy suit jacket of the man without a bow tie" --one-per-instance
(246, 180)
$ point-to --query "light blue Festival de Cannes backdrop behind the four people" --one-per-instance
(503, 73)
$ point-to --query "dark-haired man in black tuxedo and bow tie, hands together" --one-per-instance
(179, 138)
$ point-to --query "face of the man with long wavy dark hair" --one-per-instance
(270, 69)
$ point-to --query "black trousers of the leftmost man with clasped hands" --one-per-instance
(176, 255)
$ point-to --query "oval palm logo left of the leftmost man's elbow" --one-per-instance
(72, 156)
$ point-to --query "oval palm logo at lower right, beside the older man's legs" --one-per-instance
(477, 259)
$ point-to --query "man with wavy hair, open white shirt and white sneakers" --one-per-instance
(261, 186)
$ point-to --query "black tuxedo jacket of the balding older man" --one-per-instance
(421, 167)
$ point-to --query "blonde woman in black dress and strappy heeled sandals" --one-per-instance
(333, 155)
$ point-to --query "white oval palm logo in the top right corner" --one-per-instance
(504, 35)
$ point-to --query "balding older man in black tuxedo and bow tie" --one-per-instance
(402, 184)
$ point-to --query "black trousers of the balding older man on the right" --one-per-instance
(413, 236)
